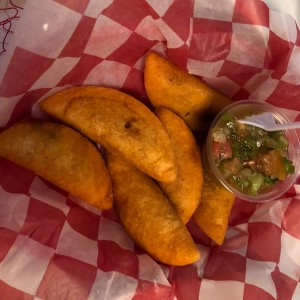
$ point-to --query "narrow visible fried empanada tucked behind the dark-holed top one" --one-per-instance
(185, 192)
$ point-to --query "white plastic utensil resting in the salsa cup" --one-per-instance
(266, 121)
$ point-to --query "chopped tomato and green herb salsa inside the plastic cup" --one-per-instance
(249, 158)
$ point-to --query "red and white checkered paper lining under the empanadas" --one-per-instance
(52, 246)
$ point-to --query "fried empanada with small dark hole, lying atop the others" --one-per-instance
(120, 123)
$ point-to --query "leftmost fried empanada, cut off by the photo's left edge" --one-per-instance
(61, 155)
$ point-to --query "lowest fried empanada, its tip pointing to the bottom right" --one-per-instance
(148, 217)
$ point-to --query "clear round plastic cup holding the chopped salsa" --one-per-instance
(242, 109)
